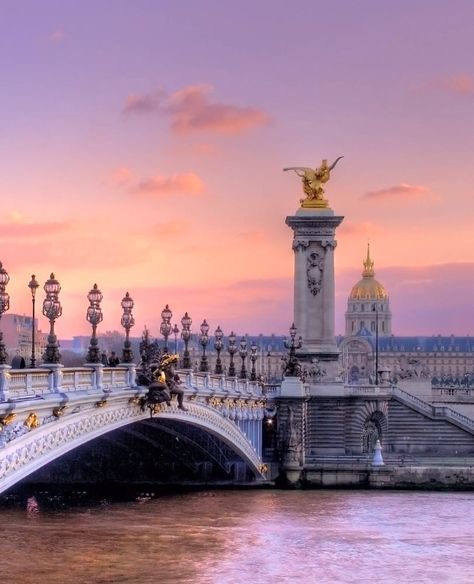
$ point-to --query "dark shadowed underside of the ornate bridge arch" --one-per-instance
(155, 451)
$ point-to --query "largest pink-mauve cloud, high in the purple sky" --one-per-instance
(191, 110)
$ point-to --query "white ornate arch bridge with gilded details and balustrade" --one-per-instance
(49, 411)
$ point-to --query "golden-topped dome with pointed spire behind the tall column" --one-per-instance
(368, 304)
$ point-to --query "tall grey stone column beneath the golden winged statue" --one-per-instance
(313, 244)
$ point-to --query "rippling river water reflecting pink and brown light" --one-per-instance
(246, 536)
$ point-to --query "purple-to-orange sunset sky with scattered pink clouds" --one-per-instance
(142, 145)
